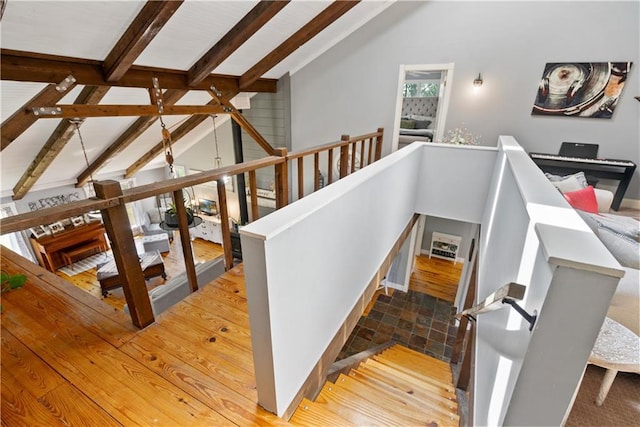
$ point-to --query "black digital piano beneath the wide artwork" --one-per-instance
(618, 170)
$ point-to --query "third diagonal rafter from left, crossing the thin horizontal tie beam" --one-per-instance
(127, 137)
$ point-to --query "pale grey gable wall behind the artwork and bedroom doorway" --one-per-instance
(352, 88)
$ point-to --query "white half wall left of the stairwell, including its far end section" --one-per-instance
(306, 265)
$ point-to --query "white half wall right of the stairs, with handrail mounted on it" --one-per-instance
(531, 236)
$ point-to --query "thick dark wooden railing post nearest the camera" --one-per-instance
(116, 223)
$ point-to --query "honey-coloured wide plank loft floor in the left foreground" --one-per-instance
(70, 359)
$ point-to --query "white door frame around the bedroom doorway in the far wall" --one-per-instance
(443, 99)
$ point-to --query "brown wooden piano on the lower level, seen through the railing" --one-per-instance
(50, 249)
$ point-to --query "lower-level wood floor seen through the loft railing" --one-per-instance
(173, 264)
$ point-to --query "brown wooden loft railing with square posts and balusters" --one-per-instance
(111, 201)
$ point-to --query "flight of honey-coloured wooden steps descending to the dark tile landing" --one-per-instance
(397, 387)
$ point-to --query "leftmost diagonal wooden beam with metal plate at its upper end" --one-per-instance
(23, 118)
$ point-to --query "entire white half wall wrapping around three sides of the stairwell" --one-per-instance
(307, 264)
